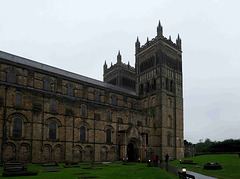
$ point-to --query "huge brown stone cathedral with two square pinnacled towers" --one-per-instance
(48, 114)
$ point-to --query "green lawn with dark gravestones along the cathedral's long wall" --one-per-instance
(110, 171)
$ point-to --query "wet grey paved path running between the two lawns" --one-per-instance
(175, 170)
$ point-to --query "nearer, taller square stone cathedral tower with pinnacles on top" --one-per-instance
(158, 69)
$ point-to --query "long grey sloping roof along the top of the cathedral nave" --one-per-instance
(44, 67)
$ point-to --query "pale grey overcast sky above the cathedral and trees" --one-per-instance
(78, 36)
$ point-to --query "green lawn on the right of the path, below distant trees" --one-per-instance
(229, 162)
